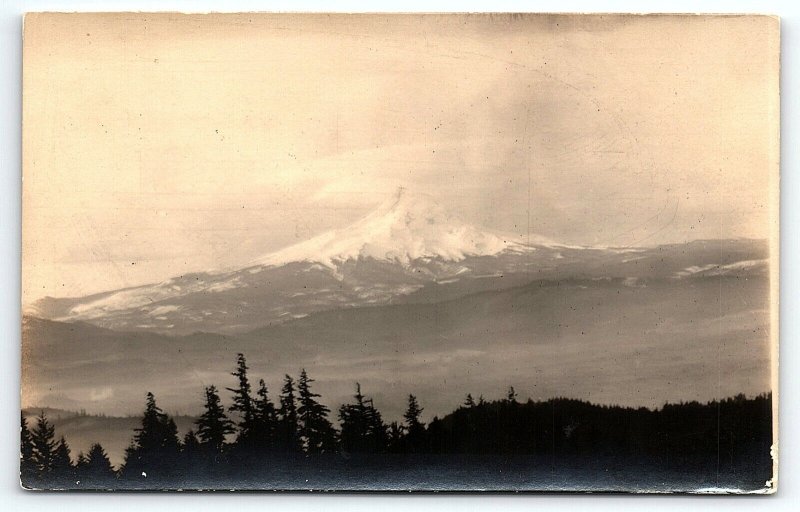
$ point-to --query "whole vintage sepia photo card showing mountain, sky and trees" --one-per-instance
(400, 252)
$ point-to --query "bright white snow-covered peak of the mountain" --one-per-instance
(403, 229)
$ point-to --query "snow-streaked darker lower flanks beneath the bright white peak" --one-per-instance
(243, 300)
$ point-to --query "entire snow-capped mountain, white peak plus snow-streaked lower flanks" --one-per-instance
(408, 250)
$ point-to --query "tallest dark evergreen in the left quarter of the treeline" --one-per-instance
(155, 448)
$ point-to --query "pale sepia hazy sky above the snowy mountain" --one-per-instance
(157, 145)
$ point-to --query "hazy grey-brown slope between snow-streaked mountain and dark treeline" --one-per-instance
(605, 340)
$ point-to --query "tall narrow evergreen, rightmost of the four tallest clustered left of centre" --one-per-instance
(316, 432)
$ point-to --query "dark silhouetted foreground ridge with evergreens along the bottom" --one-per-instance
(554, 445)
